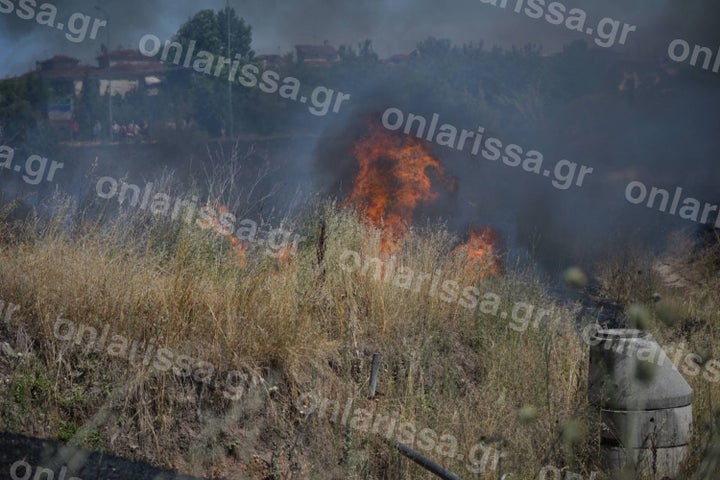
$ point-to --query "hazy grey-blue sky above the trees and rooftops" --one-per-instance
(394, 26)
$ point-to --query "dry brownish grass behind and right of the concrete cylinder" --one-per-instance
(680, 289)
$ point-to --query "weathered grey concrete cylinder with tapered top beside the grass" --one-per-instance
(645, 403)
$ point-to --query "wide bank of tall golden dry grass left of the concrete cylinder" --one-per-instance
(302, 326)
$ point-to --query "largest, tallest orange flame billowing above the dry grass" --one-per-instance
(392, 181)
